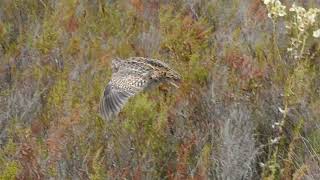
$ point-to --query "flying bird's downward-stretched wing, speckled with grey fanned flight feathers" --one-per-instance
(124, 84)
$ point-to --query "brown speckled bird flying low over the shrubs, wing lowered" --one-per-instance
(130, 77)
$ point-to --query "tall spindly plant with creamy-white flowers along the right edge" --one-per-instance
(302, 27)
